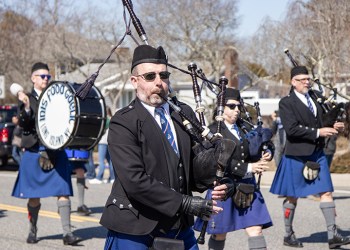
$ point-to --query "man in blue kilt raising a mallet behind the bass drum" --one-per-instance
(42, 172)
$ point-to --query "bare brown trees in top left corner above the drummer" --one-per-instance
(58, 32)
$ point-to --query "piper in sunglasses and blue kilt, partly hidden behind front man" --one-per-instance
(252, 218)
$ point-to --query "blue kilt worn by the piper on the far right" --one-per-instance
(289, 180)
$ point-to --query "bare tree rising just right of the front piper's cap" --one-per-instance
(196, 30)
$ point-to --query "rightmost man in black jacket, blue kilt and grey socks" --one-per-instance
(303, 169)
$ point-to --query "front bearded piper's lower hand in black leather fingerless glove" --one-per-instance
(197, 206)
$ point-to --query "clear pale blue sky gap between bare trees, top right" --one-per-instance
(252, 13)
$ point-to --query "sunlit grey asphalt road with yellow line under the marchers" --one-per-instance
(309, 224)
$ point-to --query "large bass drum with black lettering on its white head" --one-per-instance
(65, 121)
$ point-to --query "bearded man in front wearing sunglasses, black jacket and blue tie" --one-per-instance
(151, 200)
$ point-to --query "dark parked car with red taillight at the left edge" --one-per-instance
(6, 131)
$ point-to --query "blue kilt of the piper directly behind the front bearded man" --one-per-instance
(233, 218)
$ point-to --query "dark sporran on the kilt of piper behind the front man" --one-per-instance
(244, 195)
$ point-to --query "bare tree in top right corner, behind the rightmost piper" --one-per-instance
(316, 32)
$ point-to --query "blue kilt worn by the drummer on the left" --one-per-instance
(34, 182)
